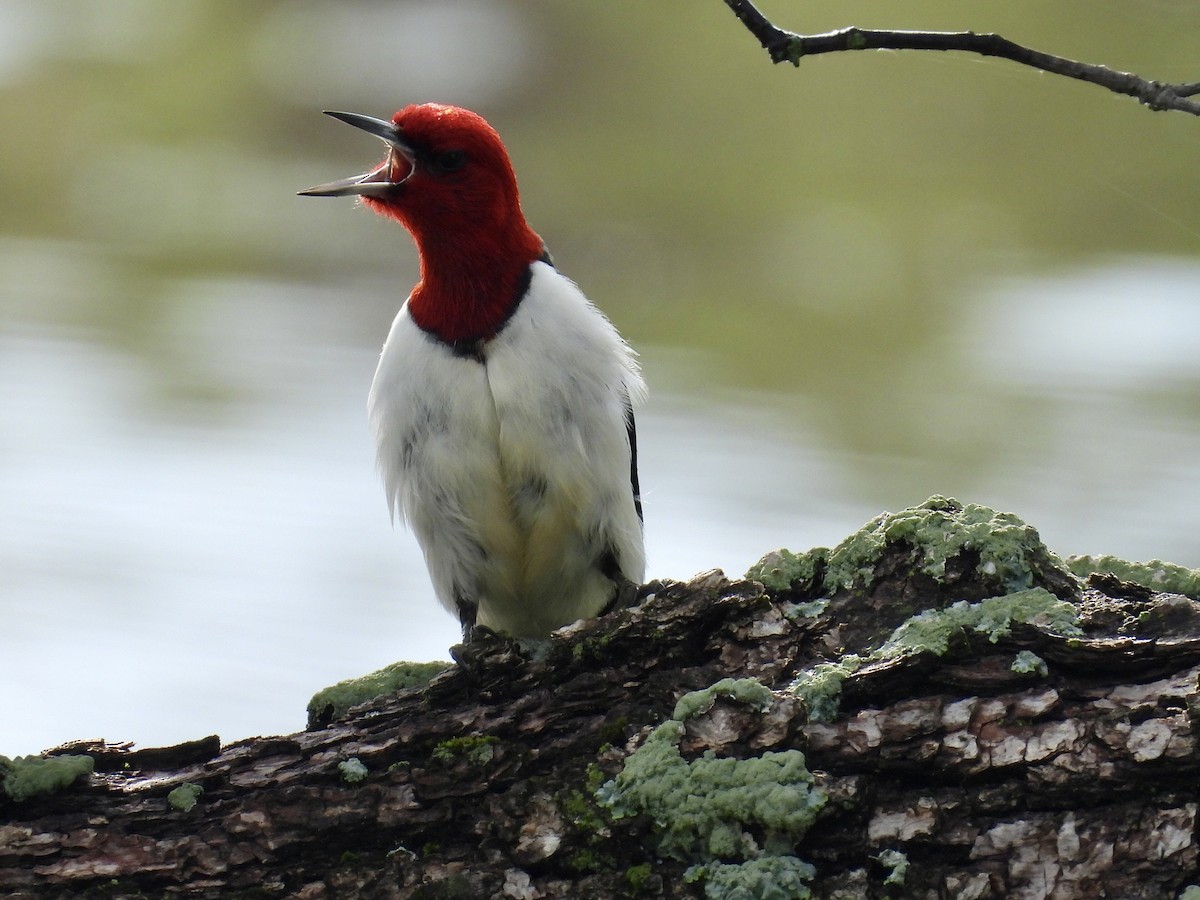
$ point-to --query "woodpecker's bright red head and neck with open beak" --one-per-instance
(448, 181)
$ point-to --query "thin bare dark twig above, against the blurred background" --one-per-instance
(790, 47)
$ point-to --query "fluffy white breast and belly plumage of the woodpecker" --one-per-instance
(515, 476)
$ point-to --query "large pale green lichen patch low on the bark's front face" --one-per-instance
(710, 809)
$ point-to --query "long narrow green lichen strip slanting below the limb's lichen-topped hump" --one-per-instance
(932, 632)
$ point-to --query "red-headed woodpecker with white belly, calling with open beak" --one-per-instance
(503, 401)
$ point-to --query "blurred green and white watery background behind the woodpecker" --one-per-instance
(855, 285)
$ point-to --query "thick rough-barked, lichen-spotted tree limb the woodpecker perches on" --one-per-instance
(945, 770)
